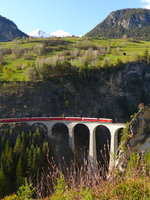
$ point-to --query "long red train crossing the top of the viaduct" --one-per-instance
(26, 119)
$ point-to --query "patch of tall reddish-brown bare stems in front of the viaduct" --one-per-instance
(74, 177)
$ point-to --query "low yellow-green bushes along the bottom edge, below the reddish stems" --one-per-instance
(126, 189)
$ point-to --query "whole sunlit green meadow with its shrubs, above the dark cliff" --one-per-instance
(21, 58)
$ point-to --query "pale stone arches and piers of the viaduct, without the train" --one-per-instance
(88, 139)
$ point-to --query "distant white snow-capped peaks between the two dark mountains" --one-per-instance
(41, 34)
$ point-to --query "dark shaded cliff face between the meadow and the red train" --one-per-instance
(113, 93)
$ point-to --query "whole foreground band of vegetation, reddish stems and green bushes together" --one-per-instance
(80, 183)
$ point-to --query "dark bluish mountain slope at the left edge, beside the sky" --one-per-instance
(9, 31)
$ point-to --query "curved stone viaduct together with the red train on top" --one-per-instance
(89, 133)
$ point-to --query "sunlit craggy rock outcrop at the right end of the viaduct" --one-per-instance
(138, 139)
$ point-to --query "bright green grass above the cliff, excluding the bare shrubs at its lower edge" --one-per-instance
(21, 53)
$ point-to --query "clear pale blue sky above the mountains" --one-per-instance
(74, 16)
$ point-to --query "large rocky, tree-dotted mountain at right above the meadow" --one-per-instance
(134, 23)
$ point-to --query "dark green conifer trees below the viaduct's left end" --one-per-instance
(21, 155)
